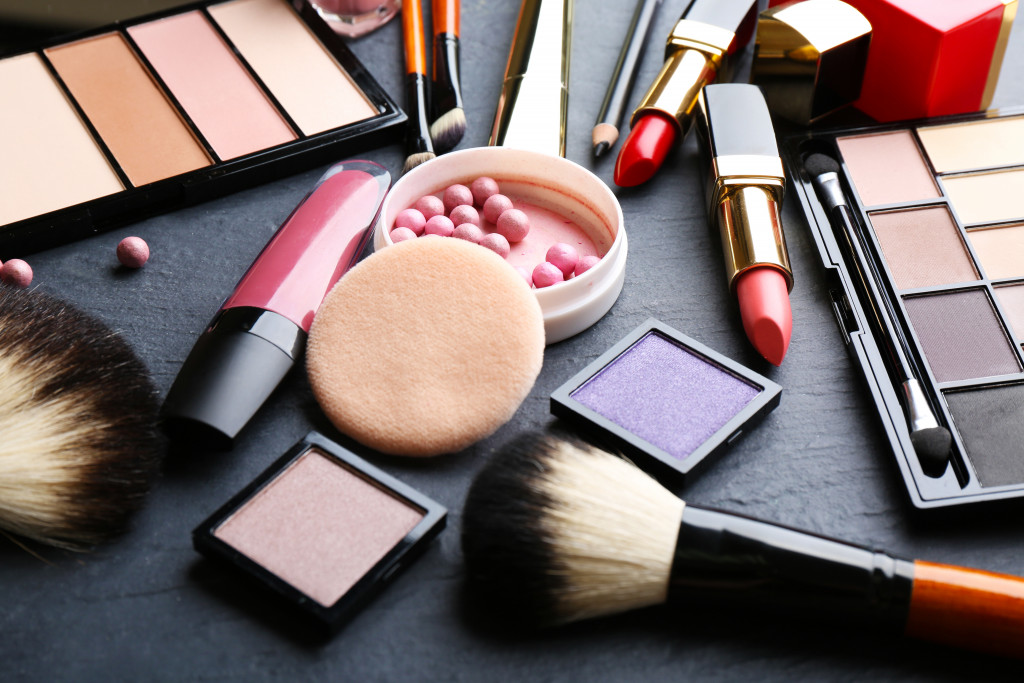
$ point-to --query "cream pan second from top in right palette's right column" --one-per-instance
(988, 198)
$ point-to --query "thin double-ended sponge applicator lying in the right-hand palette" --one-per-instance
(931, 442)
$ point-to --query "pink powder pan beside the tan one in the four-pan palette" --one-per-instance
(217, 93)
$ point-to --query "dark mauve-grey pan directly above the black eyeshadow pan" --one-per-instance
(962, 336)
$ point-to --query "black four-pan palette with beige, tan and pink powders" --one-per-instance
(125, 121)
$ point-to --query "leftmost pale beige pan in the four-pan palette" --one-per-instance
(51, 161)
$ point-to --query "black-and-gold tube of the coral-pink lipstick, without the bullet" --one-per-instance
(746, 181)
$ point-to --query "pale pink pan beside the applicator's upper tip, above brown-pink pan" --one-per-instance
(888, 168)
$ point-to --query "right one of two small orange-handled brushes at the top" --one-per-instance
(450, 118)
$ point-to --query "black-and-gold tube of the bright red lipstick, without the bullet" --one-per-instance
(700, 49)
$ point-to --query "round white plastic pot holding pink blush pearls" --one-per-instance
(557, 189)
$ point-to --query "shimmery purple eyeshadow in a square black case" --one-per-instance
(665, 401)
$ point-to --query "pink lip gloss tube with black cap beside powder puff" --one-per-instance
(261, 331)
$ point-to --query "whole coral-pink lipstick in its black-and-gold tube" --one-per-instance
(745, 188)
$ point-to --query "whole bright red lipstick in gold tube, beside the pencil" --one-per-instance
(699, 51)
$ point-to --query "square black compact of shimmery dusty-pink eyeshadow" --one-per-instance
(323, 529)
